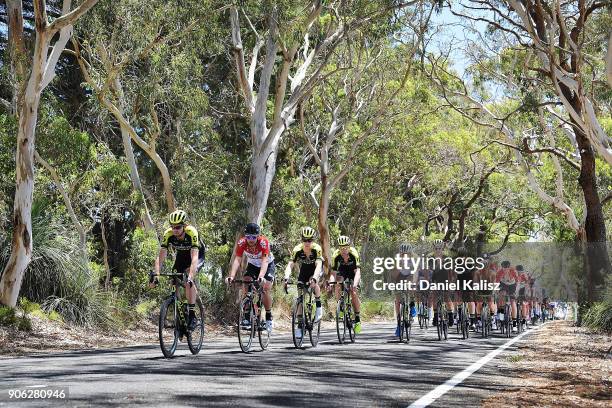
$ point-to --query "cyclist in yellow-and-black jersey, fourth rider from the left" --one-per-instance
(345, 264)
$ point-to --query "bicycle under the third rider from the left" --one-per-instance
(302, 316)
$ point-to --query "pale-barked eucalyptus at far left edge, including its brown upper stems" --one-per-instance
(33, 76)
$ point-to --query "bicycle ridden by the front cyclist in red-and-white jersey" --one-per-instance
(249, 318)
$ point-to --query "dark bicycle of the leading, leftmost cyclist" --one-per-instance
(173, 320)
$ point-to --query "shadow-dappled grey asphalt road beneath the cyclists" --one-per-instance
(376, 371)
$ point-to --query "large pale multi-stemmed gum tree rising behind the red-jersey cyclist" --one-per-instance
(306, 38)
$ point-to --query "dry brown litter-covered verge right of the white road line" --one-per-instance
(564, 366)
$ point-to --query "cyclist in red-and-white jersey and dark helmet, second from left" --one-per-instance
(260, 265)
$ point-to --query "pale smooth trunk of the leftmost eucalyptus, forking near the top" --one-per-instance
(42, 72)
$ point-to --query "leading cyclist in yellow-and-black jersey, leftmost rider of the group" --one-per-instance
(188, 260)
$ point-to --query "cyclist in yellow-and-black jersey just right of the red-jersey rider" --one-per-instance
(310, 257)
